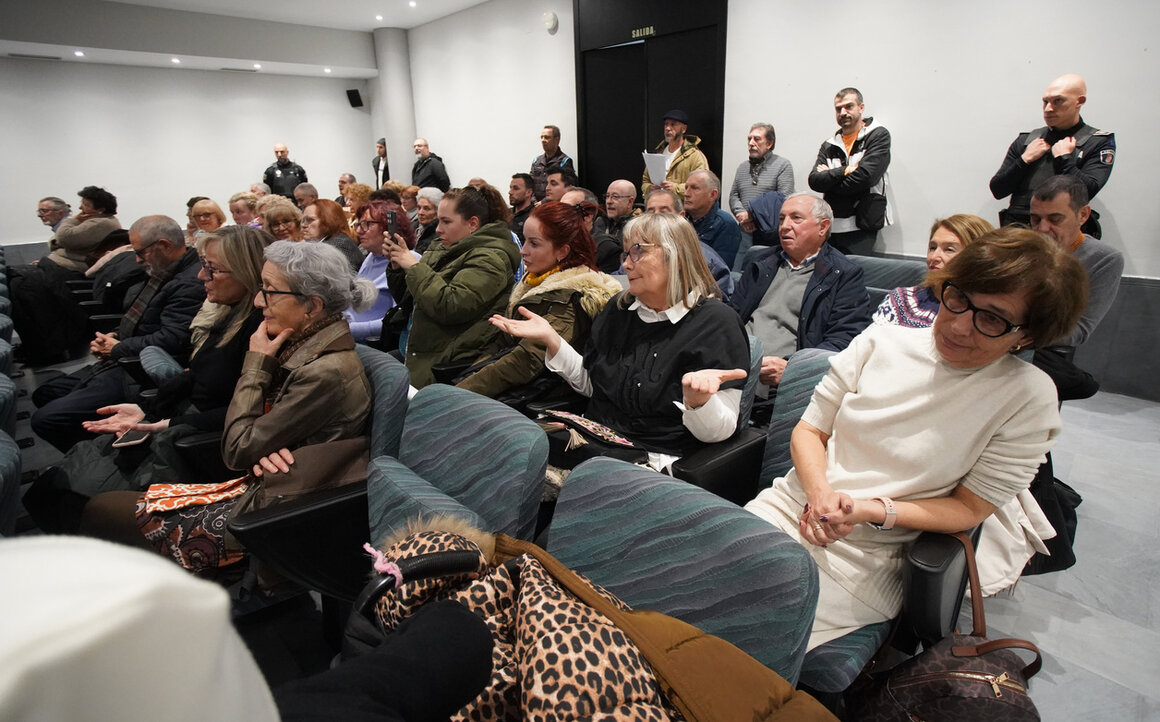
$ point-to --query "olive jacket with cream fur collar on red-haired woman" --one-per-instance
(520, 362)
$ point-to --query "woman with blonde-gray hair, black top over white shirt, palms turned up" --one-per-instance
(665, 362)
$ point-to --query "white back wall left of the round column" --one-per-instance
(156, 138)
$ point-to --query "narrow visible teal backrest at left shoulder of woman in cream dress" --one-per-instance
(803, 372)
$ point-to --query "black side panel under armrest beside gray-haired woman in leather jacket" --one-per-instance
(314, 540)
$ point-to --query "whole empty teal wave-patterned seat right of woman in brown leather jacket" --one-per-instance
(462, 456)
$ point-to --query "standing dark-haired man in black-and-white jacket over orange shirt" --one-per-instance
(851, 172)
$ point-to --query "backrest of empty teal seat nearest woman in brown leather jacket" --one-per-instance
(487, 456)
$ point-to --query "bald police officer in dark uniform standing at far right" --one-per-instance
(1065, 147)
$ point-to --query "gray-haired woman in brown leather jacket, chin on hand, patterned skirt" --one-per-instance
(302, 384)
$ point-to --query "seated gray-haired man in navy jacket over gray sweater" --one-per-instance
(803, 294)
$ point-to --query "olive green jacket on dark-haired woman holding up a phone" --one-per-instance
(455, 292)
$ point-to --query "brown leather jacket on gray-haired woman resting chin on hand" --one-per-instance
(325, 398)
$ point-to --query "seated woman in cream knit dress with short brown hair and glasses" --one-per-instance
(926, 429)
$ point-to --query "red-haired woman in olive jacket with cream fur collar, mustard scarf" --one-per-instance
(561, 284)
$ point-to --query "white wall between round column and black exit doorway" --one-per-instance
(487, 81)
